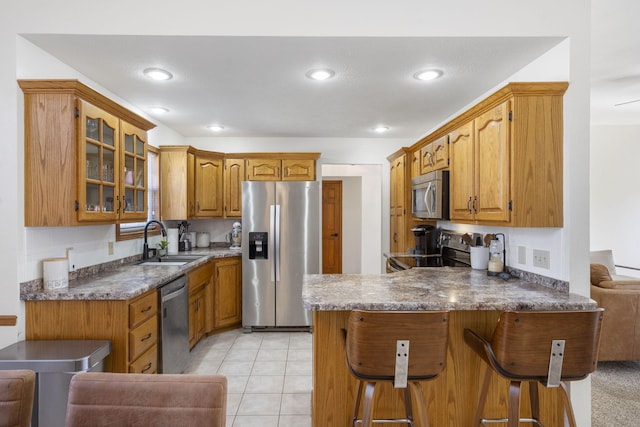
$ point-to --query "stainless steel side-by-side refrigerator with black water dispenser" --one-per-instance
(280, 244)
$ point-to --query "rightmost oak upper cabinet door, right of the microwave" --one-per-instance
(492, 164)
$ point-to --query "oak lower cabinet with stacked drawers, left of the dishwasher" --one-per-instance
(130, 325)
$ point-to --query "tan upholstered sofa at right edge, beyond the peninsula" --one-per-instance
(620, 297)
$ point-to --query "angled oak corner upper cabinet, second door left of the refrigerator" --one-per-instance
(208, 185)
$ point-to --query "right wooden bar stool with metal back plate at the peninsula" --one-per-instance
(537, 347)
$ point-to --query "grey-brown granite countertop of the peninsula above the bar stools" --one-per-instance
(443, 288)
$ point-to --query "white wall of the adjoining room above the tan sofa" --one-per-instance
(615, 194)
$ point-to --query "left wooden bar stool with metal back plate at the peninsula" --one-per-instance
(400, 347)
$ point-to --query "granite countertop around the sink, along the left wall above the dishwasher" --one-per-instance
(124, 281)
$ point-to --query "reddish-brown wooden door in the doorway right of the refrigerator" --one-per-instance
(332, 227)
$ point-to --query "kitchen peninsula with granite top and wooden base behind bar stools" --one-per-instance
(475, 301)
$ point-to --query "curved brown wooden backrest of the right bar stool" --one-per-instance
(522, 342)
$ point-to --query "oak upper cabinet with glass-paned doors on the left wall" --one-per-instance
(76, 155)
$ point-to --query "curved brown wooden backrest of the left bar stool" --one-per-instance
(372, 336)
